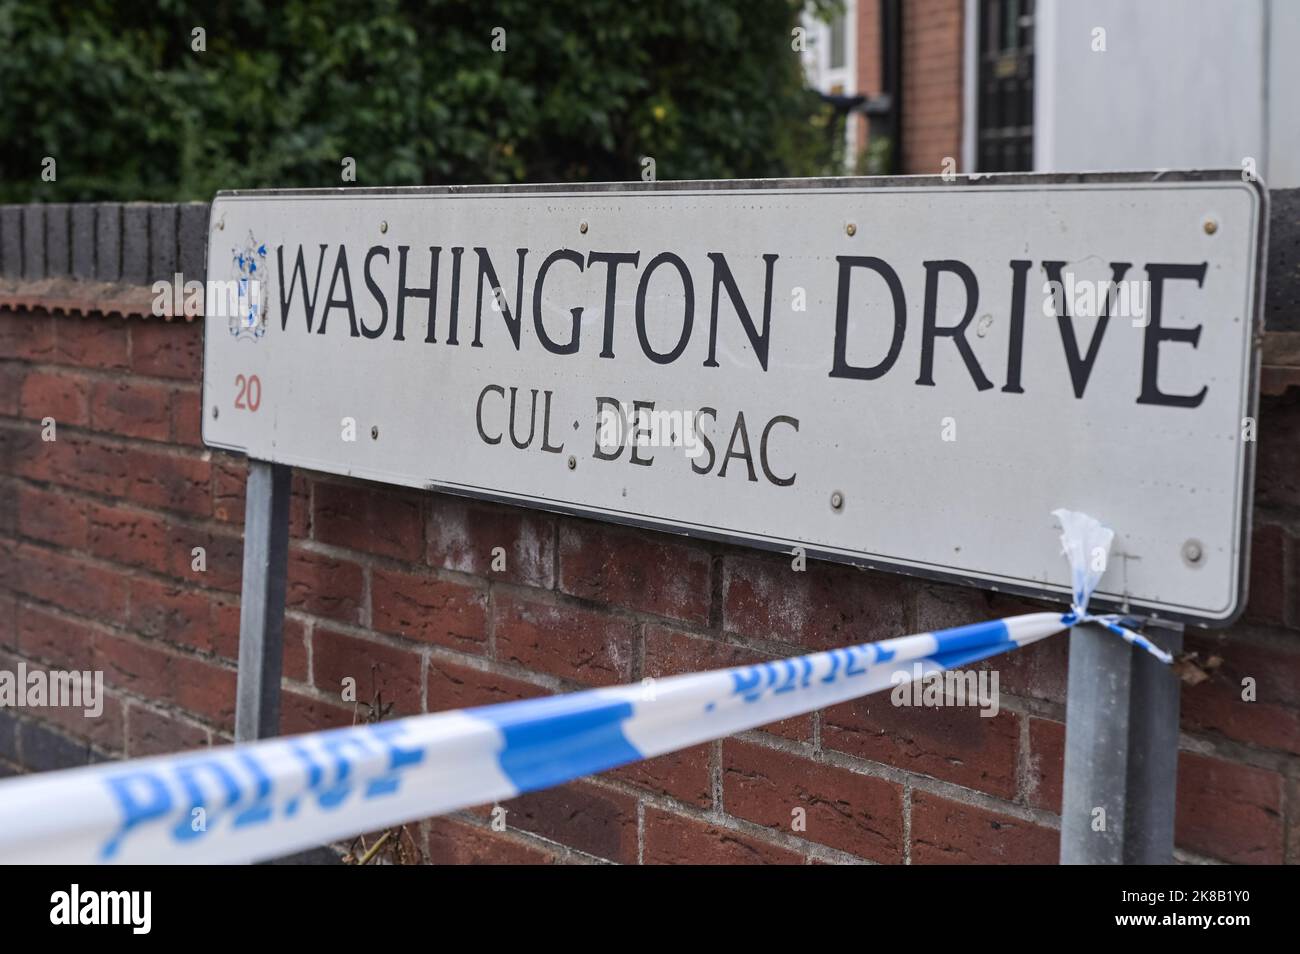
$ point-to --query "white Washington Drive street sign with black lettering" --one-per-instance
(905, 374)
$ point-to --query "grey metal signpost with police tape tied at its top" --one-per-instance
(1121, 751)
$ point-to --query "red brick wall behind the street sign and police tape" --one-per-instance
(396, 589)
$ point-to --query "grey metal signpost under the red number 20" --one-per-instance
(262, 612)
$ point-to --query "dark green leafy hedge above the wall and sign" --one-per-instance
(413, 92)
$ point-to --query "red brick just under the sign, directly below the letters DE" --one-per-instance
(635, 569)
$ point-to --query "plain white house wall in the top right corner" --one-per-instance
(1181, 84)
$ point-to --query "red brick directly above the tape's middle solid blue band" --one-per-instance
(567, 641)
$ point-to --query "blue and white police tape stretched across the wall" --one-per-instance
(263, 800)
